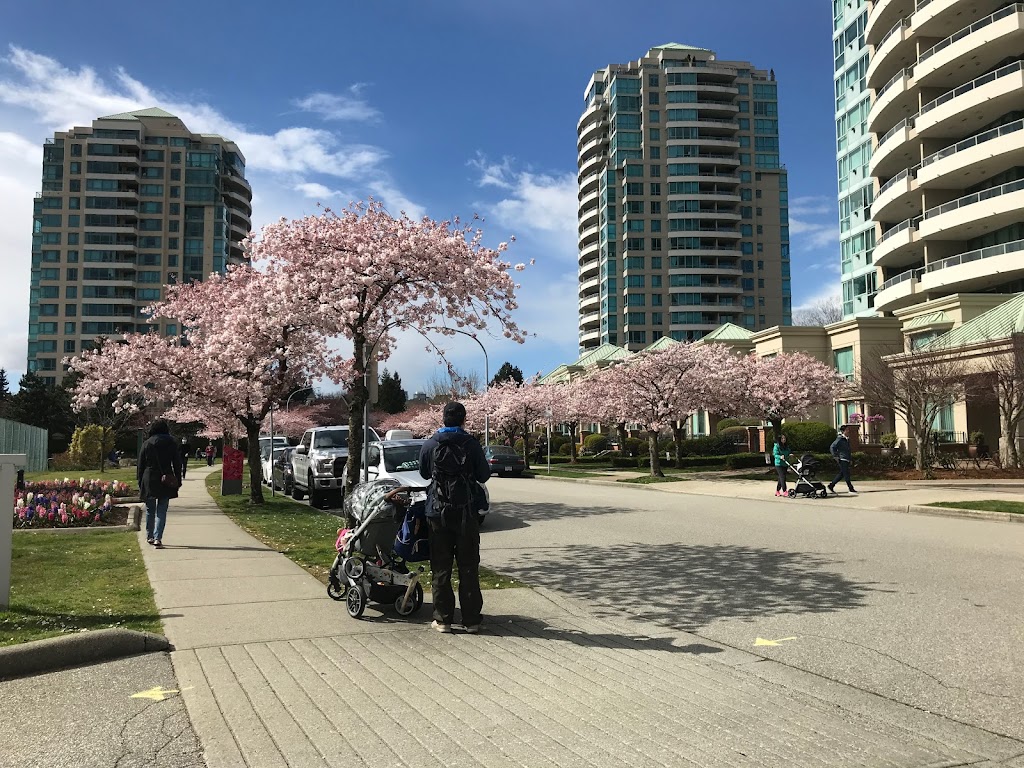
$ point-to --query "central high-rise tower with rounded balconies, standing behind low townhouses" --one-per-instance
(684, 215)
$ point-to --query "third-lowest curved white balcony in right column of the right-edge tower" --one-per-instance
(983, 156)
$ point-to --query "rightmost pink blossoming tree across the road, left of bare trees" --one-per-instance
(786, 386)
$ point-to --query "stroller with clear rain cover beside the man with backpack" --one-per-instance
(367, 567)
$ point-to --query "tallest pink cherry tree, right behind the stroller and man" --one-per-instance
(368, 275)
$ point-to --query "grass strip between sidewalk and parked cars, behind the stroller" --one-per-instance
(305, 535)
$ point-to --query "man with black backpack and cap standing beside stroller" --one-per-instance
(454, 462)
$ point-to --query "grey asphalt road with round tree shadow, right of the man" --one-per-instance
(921, 611)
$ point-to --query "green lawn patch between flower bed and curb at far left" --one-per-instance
(66, 583)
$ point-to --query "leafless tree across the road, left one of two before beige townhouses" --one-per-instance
(917, 386)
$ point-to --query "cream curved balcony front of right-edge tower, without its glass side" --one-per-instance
(949, 161)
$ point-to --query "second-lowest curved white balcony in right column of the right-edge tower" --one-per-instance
(975, 215)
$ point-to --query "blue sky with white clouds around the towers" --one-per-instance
(443, 108)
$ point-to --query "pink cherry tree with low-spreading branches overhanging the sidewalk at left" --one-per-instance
(249, 343)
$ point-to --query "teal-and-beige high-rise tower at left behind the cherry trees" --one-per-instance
(127, 206)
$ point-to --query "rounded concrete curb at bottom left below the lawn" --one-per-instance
(72, 651)
